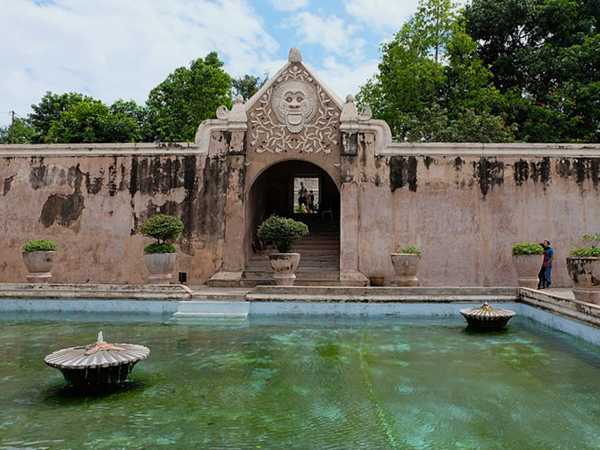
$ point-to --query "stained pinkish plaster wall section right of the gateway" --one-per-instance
(466, 210)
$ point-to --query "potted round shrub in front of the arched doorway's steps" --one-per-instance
(282, 233)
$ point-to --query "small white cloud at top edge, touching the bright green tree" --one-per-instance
(382, 13)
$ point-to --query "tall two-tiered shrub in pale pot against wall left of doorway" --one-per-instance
(160, 256)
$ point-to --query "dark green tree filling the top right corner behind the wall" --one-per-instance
(545, 57)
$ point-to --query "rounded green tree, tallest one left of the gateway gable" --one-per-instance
(187, 97)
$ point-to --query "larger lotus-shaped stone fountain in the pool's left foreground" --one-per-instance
(97, 365)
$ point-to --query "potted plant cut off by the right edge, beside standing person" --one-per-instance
(583, 265)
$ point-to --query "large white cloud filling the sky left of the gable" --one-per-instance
(111, 48)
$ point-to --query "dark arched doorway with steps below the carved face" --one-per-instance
(305, 192)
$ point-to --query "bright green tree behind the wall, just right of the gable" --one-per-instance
(431, 84)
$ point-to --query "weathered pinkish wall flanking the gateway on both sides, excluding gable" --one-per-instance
(463, 204)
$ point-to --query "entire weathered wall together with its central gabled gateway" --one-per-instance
(295, 144)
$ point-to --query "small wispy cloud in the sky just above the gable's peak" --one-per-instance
(331, 33)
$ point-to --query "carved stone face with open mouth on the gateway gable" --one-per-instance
(294, 103)
